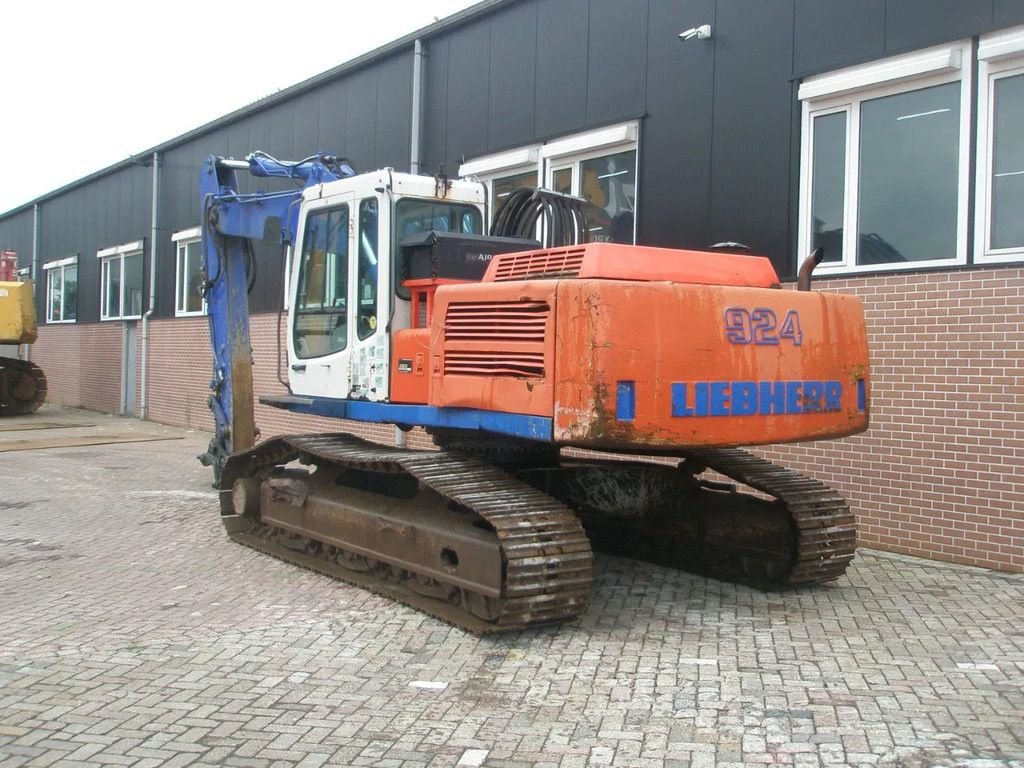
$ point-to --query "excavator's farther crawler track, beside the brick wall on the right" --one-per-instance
(804, 534)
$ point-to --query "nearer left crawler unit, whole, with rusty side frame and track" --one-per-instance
(470, 543)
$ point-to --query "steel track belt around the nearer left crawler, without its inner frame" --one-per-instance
(546, 561)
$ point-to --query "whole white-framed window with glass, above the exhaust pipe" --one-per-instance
(885, 163)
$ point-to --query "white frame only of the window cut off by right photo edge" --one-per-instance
(1000, 56)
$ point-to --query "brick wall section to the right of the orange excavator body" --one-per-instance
(940, 474)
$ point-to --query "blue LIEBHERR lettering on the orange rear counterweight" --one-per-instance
(756, 398)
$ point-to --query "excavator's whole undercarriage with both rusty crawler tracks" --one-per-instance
(497, 547)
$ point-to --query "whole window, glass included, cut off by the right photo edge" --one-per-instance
(1000, 195)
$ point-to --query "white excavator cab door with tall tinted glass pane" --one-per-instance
(321, 333)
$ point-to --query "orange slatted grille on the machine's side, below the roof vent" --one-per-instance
(496, 338)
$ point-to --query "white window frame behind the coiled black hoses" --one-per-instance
(558, 154)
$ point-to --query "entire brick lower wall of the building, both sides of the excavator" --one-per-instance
(937, 476)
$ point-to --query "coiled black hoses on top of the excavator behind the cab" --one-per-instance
(562, 218)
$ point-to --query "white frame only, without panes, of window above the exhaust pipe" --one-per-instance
(845, 91)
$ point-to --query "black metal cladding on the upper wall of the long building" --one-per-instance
(720, 120)
